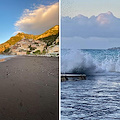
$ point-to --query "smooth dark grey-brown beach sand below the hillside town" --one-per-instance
(29, 88)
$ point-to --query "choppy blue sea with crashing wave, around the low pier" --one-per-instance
(98, 97)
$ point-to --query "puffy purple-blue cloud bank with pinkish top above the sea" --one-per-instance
(104, 25)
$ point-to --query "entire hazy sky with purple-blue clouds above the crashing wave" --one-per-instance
(90, 24)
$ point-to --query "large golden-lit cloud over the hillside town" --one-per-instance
(39, 20)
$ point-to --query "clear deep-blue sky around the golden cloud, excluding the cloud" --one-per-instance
(12, 10)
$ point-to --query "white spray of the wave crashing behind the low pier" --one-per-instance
(83, 63)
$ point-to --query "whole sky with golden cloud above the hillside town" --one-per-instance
(29, 16)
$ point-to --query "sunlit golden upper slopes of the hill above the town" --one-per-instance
(51, 33)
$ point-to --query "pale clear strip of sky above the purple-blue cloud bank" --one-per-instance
(90, 7)
